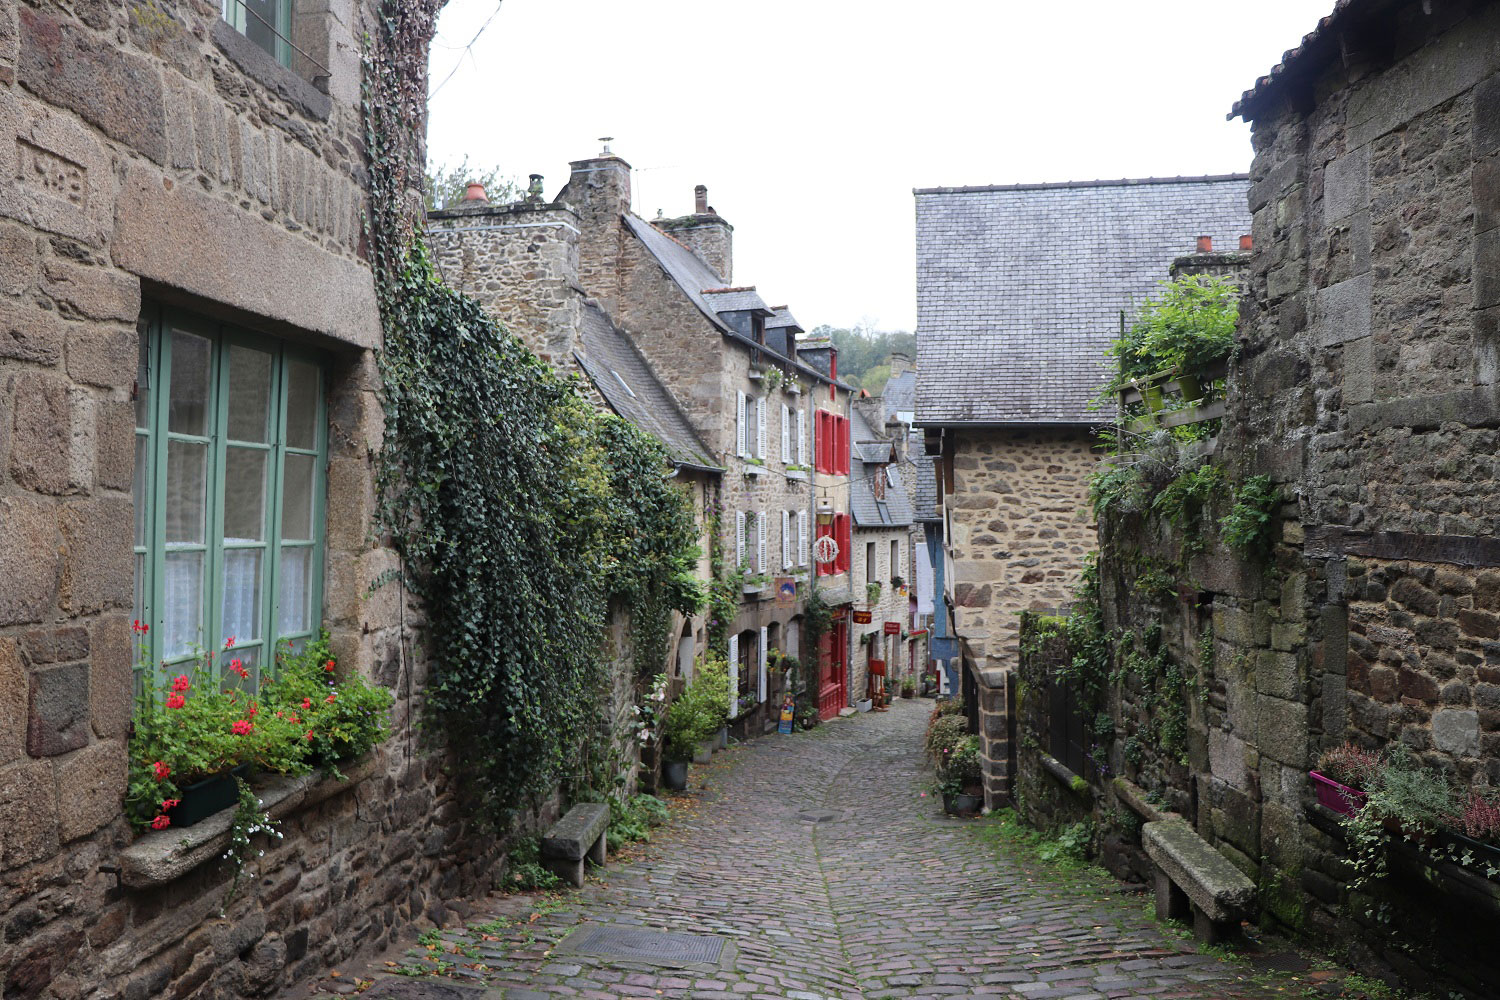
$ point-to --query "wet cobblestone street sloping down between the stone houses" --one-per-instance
(883, 899)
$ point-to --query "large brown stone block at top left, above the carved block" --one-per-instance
(113, 89)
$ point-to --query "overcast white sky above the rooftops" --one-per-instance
(812, 121)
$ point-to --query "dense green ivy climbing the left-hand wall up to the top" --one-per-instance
(518, 510)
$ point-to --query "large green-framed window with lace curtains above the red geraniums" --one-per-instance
(230, 479)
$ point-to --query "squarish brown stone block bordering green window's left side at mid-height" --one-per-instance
(100, 569)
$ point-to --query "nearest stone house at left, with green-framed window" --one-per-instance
(181, 265)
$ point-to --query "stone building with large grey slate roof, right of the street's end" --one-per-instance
(1019, 293)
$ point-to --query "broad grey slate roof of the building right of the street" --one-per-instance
(1021, 287)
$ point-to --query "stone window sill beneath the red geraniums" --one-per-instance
(164, 857)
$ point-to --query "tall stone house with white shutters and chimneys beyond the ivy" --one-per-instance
(752, 419)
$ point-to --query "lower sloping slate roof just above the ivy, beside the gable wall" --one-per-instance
(632, 391)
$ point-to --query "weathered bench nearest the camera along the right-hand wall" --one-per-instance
(1190, 872)
